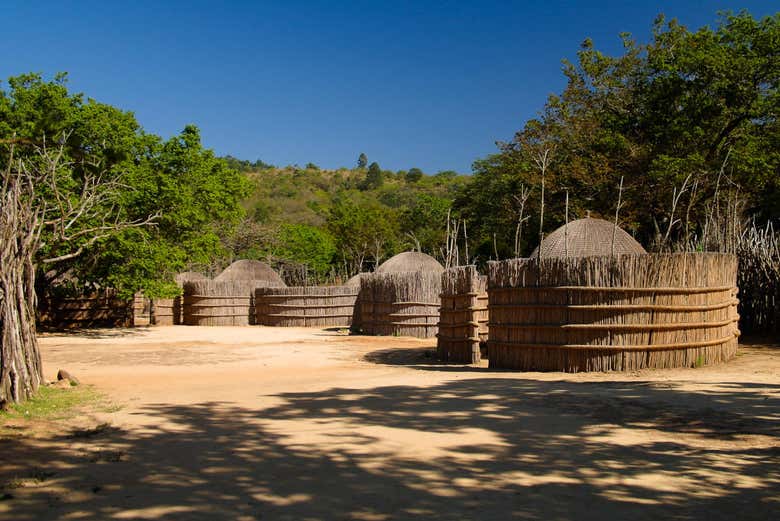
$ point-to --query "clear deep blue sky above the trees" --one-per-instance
(410, 83)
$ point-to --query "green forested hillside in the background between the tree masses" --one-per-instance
(335, 223)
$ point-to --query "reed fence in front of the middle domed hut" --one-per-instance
(399, 304)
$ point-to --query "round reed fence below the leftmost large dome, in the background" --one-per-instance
(220, 303)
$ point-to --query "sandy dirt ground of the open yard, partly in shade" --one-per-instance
(306, 424)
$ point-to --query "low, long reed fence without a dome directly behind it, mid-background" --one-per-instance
(306, 306)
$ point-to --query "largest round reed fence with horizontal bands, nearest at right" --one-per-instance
(613, 313)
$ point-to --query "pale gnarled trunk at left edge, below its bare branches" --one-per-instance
(21, 372)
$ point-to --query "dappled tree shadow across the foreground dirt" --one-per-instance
(535, 450)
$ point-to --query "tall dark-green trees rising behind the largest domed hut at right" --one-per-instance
(663, 115)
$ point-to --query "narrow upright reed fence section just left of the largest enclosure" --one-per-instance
(463, 320)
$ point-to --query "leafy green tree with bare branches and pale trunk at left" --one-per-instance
(86, 191)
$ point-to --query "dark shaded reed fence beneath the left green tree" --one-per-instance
(99, 309)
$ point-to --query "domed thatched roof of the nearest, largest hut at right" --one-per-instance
(588, 237)
